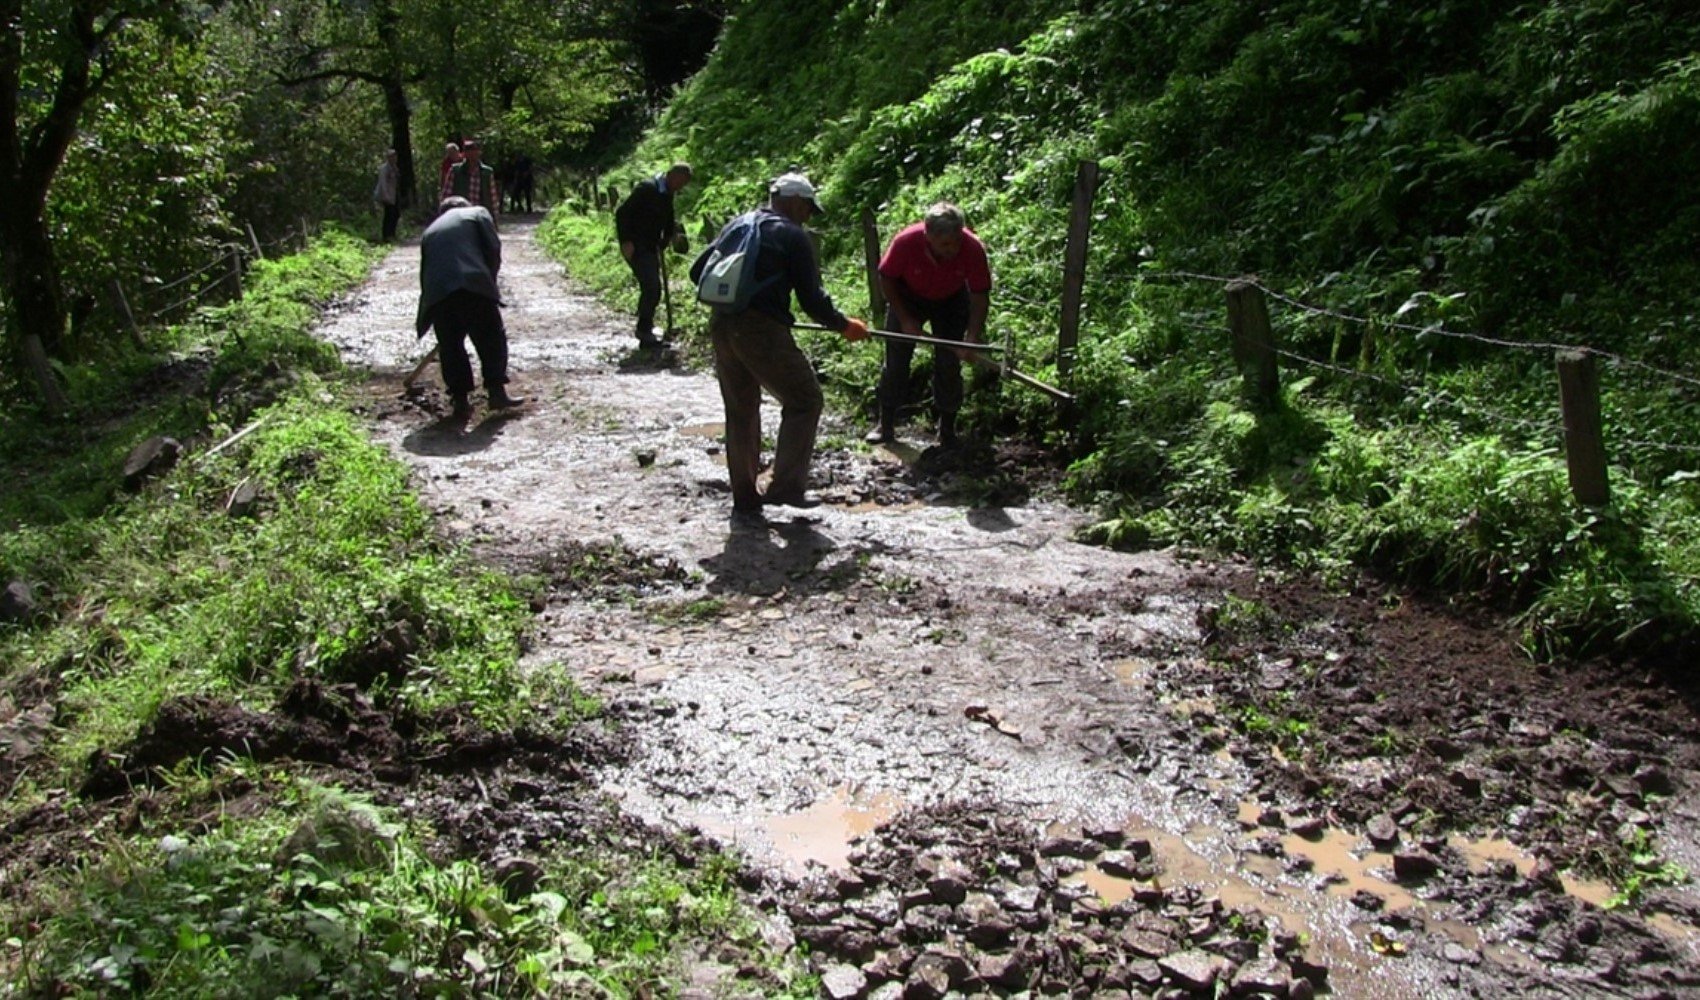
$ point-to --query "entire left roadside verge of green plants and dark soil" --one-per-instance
(283, 589)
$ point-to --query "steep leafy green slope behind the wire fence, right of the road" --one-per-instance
(1439, 191)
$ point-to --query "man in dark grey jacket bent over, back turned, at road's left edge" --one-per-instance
(460, 259)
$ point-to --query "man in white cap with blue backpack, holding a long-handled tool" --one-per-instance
(754, 348)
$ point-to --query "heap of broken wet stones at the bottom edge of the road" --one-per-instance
(961, 902)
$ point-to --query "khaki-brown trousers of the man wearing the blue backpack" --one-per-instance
(754, 353)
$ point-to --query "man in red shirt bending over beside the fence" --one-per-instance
(932, 273)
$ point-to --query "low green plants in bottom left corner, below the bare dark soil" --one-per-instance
(327, 895)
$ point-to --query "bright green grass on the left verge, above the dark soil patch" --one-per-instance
(164, 594)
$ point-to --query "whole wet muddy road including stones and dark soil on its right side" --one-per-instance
(1031, 764)
